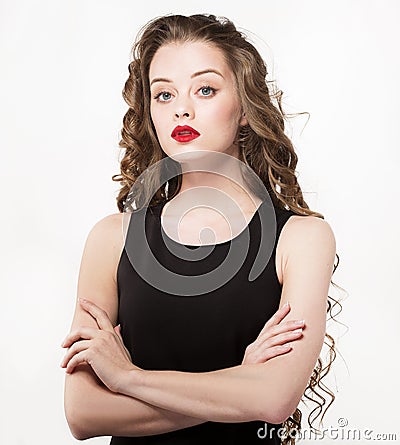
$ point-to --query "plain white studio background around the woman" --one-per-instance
(63, 66)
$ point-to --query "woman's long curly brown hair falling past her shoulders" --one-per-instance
(264, 147)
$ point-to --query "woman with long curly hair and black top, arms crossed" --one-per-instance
(210, 362)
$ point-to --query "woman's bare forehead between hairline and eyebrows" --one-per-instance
(184, 59)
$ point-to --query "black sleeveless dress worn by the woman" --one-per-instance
(197, 333)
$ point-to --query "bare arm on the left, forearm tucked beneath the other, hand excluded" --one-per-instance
(91, 409)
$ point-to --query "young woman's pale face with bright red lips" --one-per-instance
(194, 103)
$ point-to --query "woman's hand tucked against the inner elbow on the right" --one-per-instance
(274, 337)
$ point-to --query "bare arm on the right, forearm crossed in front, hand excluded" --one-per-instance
(267, 391)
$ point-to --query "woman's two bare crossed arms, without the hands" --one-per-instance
(154, 402)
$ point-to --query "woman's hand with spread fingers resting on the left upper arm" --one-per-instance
(103, 349)
